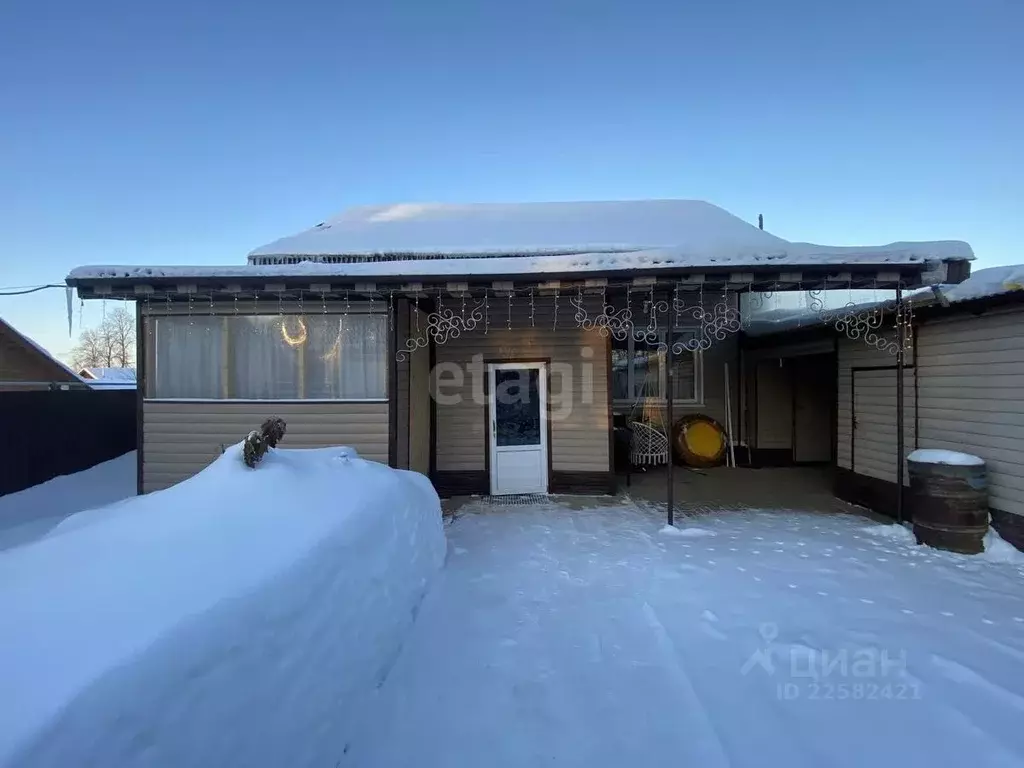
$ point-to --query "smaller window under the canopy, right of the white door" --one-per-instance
(639, 371)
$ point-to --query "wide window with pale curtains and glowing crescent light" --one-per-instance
(269, 358)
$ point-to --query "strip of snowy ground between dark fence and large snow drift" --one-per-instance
(29, 515)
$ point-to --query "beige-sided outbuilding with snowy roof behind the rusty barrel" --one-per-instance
(963, 390)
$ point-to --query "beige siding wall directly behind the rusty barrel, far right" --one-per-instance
(971, 383)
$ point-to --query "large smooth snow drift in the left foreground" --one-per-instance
(240, 619)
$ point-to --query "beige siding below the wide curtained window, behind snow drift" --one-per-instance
(183, 438)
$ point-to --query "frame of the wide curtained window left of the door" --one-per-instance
(151, 324)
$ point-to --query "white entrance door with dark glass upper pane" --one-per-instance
(519, 431)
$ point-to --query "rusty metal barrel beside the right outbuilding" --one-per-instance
(950, 504)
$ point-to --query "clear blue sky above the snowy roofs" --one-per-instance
(193, 133)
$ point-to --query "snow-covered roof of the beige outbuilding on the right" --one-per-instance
(998, 282)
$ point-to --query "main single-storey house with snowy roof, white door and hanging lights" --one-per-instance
(490, 347)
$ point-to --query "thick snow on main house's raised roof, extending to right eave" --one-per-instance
(684, 229)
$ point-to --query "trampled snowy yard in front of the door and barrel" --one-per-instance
(588, 638)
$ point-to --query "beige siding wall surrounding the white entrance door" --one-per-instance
(579, 439)
